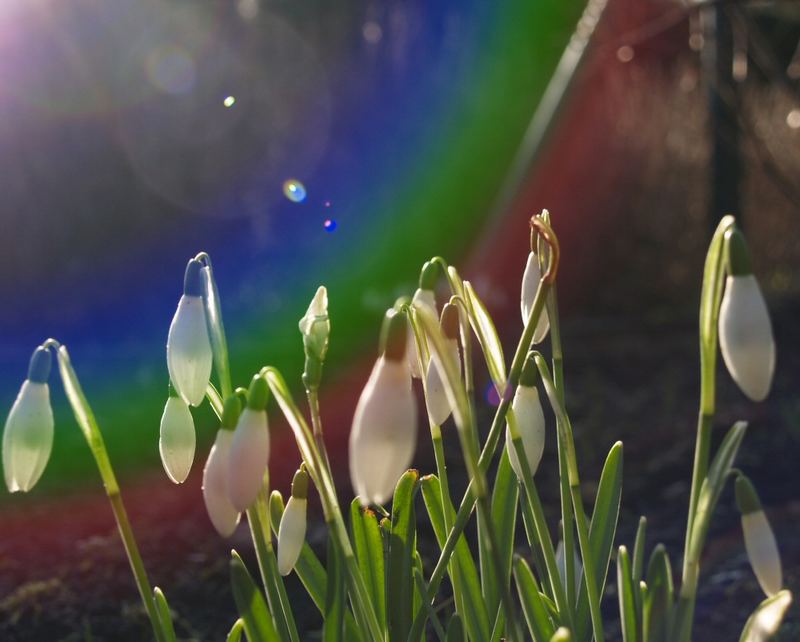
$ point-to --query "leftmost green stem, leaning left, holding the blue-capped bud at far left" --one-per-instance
(94, 438)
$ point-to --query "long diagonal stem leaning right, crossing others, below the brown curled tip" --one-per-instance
(489, 448)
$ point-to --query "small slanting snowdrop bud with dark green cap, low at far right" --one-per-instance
(762, 551)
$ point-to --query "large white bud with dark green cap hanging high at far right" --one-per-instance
(745, 331)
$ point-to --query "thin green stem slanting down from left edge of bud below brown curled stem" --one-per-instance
(565, 607)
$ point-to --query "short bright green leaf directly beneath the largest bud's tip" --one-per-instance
(368, 545)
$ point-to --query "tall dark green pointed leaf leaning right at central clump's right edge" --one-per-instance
(602, 529)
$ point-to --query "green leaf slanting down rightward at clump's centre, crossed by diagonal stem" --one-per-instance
(476, 618)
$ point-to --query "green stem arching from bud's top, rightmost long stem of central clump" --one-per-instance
(565, 431)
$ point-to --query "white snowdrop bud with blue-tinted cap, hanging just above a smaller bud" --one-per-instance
(189, 355)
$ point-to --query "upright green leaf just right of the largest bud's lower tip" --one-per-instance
(400, 577)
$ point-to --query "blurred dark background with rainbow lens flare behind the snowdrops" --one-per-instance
(306, 143)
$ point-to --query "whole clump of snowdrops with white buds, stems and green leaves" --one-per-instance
(374, 586)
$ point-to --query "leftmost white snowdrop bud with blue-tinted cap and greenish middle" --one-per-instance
(28, 434)
